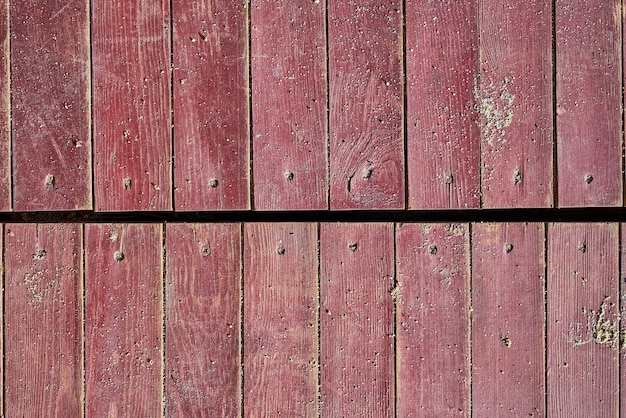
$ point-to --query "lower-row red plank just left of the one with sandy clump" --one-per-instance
(508, 320)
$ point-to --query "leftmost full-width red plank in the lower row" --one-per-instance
(43, 320)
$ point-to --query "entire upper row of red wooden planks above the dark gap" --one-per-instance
(310, 105)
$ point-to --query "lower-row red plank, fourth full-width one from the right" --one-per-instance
(356, 320)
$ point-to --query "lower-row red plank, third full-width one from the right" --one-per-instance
(432, 316)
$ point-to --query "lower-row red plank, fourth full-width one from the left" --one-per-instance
(280, 319)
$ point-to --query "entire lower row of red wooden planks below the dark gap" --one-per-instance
(307, 319)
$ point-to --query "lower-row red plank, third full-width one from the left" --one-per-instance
(202, 340)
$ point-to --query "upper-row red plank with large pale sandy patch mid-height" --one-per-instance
(515, 103)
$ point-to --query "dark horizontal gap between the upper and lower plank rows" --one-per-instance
(475, 215)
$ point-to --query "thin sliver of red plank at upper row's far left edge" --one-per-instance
(5, 109)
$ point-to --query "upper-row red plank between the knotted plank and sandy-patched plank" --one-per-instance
(442, 134)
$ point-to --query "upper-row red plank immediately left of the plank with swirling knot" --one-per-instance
(289, 104)
